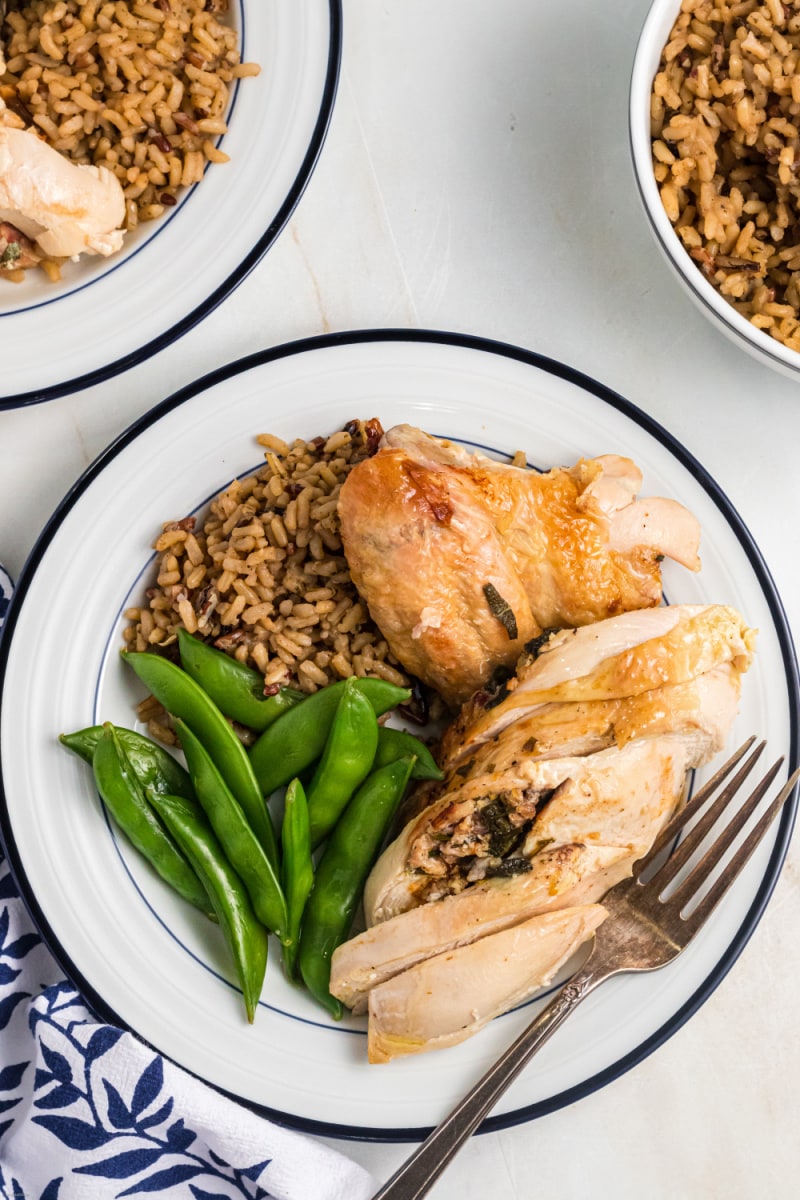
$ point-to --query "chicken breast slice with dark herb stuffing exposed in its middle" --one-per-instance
(617, 800)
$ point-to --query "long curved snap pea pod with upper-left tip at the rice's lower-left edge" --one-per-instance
(184, 699)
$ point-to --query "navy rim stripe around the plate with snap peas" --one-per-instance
(718, 496)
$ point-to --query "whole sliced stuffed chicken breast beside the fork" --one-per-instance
(556, 784)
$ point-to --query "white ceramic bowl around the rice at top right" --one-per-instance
(653, 39)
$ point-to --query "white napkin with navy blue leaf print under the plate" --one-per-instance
(91, 1113)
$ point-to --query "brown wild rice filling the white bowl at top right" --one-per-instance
(726, 153)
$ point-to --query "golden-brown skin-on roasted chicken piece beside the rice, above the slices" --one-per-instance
(462, 560)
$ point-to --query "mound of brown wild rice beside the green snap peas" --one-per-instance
(263, 577)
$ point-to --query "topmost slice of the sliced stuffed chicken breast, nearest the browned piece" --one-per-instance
(622, 657)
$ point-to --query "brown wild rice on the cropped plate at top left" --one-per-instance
(140, 88)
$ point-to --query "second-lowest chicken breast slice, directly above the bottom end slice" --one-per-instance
(560, 879)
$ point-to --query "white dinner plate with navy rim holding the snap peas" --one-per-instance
(146, 961)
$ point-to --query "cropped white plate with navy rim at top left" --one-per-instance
(110, 314)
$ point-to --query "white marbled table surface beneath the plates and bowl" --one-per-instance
(477, 178)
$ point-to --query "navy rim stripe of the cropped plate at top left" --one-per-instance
(251, 260)
